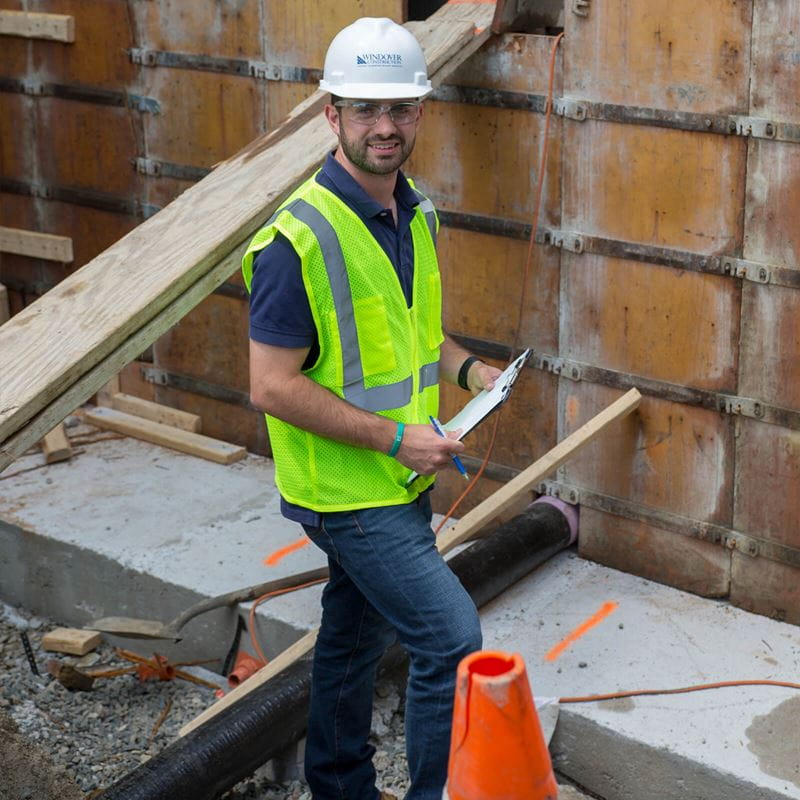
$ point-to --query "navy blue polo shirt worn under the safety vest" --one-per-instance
(280, 314)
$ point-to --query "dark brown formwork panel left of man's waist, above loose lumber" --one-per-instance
(230, 423)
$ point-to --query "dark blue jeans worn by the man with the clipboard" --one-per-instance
(387, 581)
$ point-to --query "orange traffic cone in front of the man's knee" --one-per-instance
(497, 749)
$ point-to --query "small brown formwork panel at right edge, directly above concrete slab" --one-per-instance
(766, 587)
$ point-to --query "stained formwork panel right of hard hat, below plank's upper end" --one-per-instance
(513, 62)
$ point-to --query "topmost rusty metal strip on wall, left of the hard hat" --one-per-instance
(231, 66)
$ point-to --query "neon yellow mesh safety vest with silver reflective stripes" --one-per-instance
(374, 351)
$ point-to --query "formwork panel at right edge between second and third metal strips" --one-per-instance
(770, 345)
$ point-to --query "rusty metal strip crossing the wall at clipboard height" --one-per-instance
(616, 379)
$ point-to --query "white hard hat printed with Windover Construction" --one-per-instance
(375, 59)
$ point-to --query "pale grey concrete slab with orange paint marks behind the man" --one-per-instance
(128, 528)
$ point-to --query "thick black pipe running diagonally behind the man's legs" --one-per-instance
(232, 745)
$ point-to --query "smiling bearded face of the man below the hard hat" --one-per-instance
(382, 147)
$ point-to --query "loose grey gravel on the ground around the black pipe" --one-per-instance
(87, 740)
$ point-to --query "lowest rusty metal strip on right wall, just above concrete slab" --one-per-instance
(746, 543)
